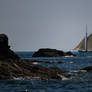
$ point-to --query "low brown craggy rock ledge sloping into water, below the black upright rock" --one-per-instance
(13, 69)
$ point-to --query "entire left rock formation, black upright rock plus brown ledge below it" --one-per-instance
(12, 67)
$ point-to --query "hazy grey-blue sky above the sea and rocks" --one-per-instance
(34, 24)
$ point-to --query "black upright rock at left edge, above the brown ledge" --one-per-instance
(5, 51)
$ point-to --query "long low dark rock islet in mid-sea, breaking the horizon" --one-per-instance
(51, 53)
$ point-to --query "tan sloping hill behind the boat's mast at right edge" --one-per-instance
(81, 45)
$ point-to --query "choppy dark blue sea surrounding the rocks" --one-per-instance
(80, 81)
